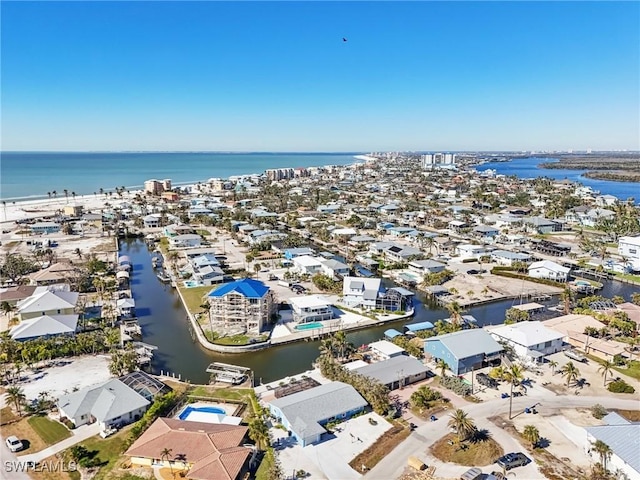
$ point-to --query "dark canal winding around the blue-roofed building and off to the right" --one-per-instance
(164, 324)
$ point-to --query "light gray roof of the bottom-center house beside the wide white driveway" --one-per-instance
(305, 409)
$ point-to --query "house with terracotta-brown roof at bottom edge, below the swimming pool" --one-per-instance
(200, 451)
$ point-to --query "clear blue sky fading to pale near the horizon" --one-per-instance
(276, 76)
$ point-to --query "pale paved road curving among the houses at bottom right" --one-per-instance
(416, 444)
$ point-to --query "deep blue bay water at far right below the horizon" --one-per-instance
(528, 168)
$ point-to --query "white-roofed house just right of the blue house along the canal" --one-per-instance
(531, 340)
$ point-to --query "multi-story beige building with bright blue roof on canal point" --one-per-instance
(244, 305)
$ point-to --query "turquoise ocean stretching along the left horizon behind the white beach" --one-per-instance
(30, 175)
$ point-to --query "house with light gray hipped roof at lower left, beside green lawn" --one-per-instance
(111, 404)
